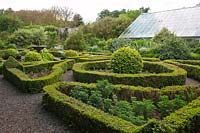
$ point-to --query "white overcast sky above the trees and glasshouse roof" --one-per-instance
(90, 8)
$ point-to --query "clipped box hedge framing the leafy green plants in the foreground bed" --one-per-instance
(57, 99)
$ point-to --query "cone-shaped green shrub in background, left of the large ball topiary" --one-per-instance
(75, 41)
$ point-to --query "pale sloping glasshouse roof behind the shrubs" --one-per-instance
(184, 22)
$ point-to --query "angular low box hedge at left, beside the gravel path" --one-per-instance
(15, 73)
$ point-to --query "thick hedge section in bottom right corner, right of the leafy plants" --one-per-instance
(184, 120)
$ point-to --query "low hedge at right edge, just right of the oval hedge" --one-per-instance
(193, 71)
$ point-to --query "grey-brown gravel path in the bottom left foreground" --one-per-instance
(23, 113)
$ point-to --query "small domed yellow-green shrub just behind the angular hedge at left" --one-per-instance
(32, 56)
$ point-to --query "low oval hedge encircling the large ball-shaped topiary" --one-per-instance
(165, 74)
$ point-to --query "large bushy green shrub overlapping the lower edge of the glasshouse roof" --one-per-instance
(172, 47)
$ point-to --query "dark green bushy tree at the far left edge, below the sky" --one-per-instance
(9, 24)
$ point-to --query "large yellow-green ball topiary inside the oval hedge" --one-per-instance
(126, 60)
